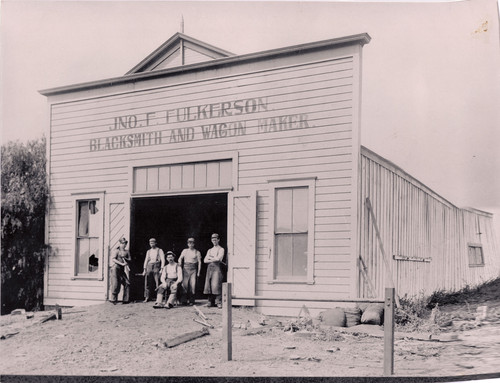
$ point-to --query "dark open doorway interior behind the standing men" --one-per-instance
(171, 220)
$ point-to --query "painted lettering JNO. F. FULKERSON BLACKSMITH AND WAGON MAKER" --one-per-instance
(204, 131)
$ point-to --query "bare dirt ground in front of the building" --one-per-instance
(109, 339)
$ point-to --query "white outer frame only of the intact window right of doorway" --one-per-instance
(310, 183)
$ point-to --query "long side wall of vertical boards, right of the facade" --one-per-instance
(425, 237)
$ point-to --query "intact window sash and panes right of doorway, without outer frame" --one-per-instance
(291, 232)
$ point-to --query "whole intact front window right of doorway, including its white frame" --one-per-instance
(292, 230)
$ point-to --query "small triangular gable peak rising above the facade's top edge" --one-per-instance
(179, 50)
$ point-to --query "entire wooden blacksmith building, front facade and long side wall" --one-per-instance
(263, 149)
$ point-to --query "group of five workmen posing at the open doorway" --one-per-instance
(163, 275)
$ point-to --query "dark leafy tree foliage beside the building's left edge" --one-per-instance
(24, 196)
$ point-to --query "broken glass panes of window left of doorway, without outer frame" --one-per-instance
(88, 228)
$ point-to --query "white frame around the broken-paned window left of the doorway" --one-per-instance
(76, 199)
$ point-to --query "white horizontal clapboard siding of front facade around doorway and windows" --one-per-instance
(321, 94)
